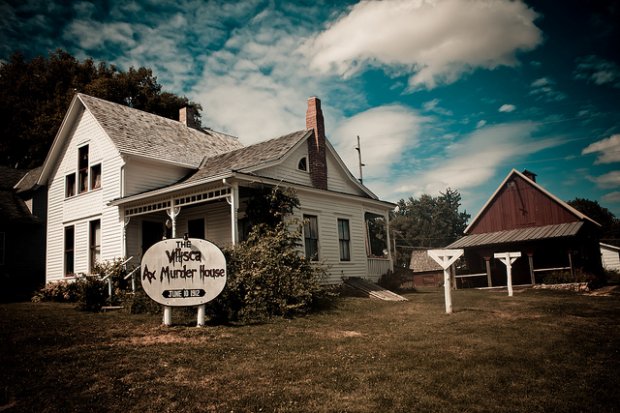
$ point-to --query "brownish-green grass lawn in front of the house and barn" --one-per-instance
(539, 351)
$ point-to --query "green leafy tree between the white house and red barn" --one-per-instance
(428, 221)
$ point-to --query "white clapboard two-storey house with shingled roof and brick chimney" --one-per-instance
(120, 179)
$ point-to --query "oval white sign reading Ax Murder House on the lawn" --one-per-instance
(180, 272)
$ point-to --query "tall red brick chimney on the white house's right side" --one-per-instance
(316, 145)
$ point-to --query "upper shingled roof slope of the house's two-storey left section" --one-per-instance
(135, 132)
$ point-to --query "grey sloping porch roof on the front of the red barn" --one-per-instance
(519, 235)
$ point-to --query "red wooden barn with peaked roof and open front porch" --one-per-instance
(522, 216)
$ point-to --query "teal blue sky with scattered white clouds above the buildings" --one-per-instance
(442, 93)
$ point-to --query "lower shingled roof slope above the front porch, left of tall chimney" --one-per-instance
(249, 157)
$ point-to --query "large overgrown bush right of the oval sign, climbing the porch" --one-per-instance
(268, 277)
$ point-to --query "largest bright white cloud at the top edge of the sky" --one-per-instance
(436, 41)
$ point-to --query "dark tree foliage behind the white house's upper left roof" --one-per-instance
(35, 95)
